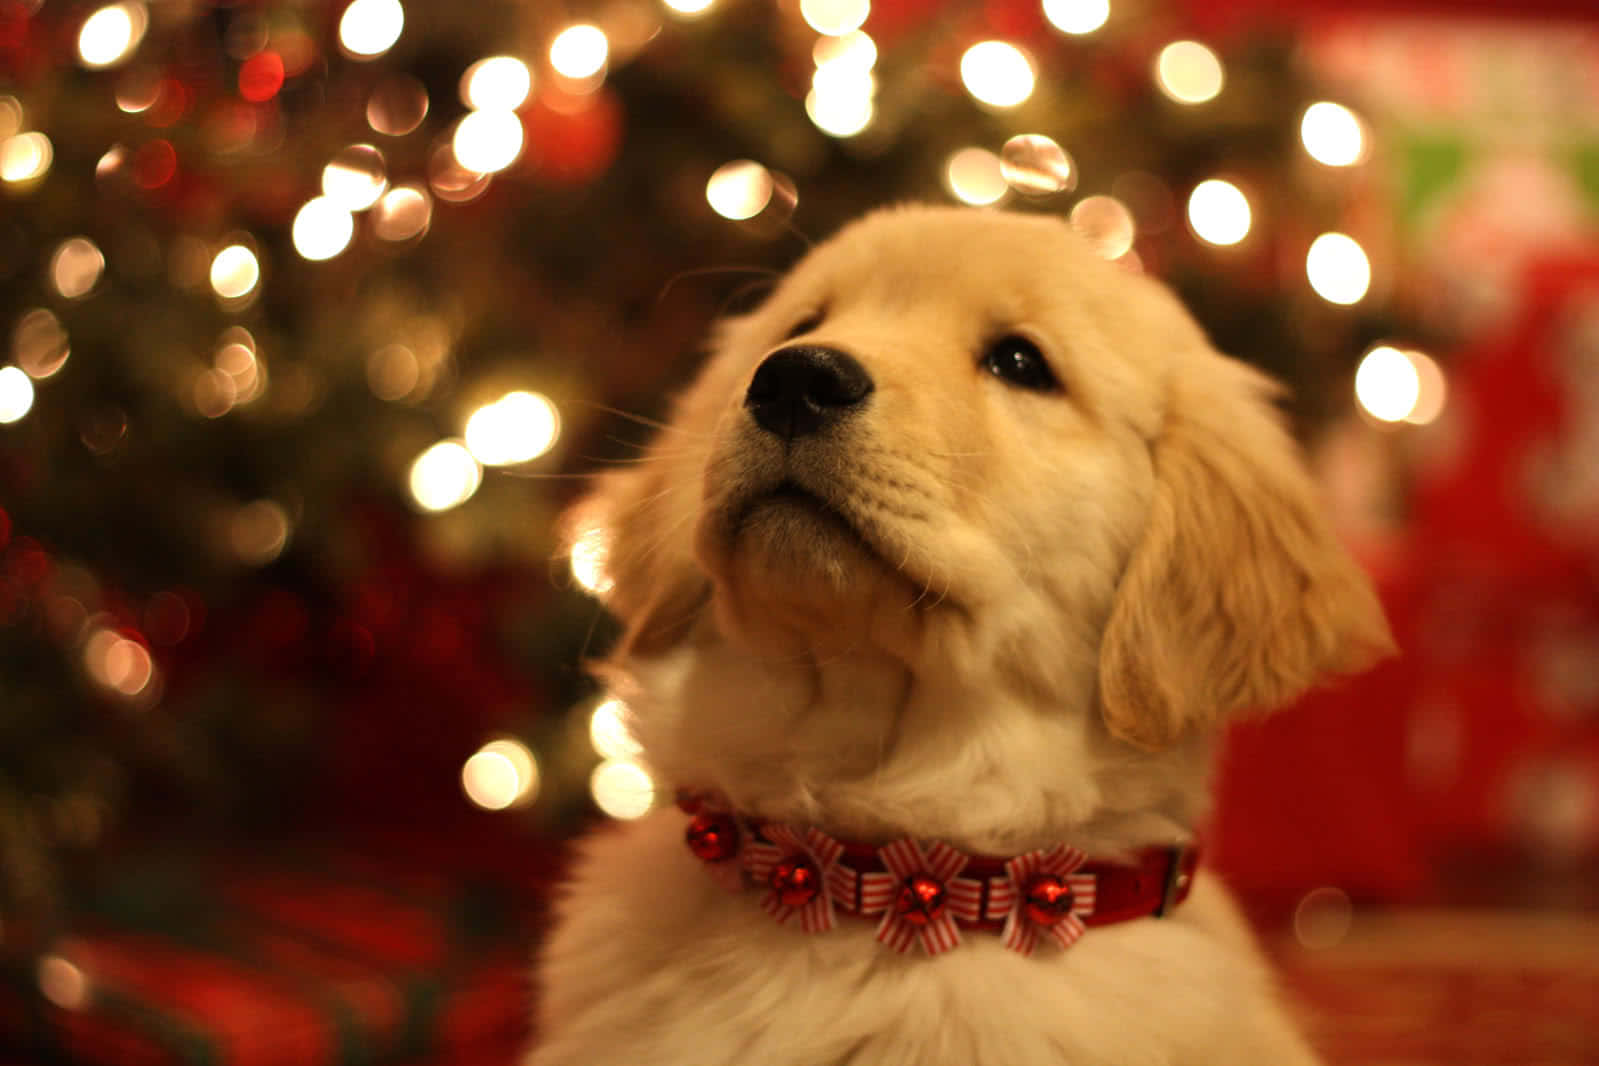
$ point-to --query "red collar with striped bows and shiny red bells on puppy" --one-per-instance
(928, 893)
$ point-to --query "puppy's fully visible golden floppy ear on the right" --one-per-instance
(1240, 595)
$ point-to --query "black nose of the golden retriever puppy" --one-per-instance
(803, 389)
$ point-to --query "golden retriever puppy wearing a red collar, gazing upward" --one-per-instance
(936, 592)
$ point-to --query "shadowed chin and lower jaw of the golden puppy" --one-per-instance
(796, 578)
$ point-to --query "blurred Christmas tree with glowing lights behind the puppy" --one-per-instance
(284, 277)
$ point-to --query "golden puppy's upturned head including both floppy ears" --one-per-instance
(960, 440)
